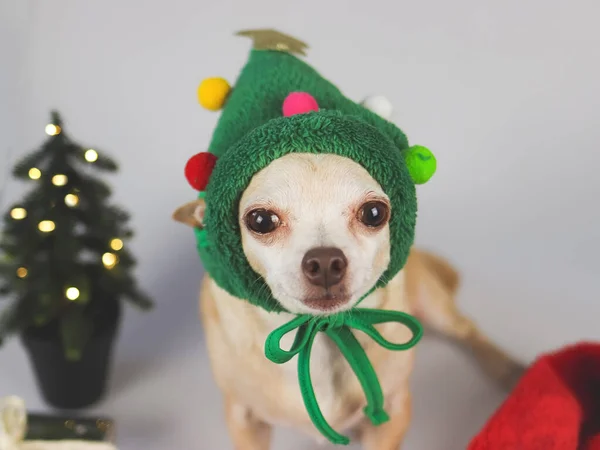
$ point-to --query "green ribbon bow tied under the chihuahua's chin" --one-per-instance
(337, 327)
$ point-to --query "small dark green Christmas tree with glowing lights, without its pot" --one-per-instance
(62, 252)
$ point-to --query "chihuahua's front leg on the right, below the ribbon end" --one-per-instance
(389, 435)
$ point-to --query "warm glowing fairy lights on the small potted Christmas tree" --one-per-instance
(110, 258)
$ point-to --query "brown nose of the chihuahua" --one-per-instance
(324, 266)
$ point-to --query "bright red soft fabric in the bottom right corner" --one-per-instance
(555, 406)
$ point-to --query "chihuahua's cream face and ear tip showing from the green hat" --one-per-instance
(315, 228)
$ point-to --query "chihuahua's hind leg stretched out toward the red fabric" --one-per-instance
(432, 284)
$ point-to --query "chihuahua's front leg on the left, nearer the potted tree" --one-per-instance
(246, 430)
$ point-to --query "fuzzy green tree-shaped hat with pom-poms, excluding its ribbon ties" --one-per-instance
(254, 129)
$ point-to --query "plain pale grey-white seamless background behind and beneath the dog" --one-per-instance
(504, 92)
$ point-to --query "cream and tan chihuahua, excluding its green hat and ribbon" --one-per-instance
(317, 248)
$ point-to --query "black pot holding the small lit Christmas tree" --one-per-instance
(67, 384)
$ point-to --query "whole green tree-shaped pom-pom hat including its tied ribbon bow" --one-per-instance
(280, 105)
